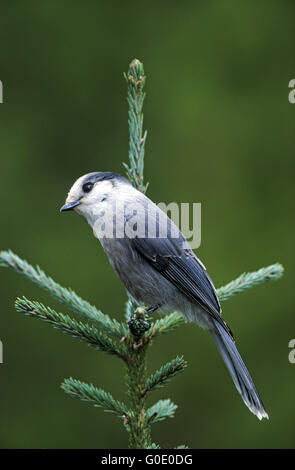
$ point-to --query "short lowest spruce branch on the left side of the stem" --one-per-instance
(96, 396)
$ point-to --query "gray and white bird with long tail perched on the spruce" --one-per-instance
(156, 264)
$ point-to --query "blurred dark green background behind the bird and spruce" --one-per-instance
(220, 132)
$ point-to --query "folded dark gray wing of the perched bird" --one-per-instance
(183, 269)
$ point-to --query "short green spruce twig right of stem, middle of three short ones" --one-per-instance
(164, 374)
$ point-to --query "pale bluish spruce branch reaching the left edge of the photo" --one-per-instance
(66, 296)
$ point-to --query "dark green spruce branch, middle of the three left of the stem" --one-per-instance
(86, 333)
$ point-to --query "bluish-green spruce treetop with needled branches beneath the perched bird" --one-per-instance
(128, 340)
